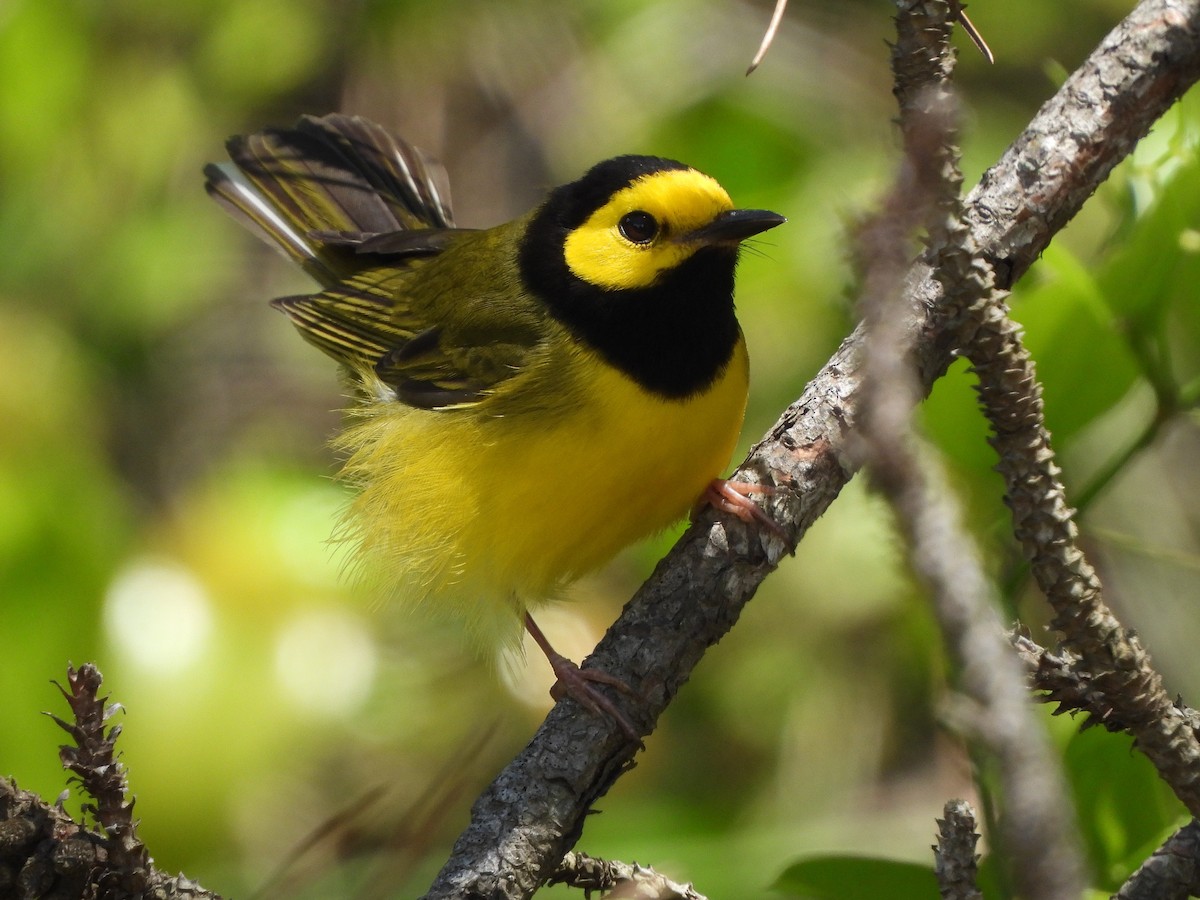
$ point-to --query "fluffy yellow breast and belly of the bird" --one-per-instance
(484, 515)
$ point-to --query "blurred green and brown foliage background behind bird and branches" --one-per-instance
(167, 494)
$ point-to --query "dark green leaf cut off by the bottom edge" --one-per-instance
(845, 878)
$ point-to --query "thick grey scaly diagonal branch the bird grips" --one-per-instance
(535, 812)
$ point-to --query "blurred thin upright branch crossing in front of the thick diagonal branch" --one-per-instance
(1035, 823)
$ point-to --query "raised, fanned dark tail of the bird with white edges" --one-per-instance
(333, 189)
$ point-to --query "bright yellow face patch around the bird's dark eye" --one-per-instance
(680, 201)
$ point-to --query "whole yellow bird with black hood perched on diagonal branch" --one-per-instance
(530, 399)
